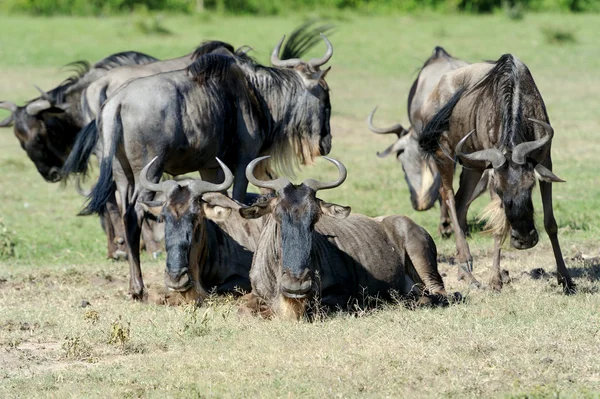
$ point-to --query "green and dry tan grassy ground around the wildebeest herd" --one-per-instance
(528, 341)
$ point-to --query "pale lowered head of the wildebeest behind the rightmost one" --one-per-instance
(420, 172)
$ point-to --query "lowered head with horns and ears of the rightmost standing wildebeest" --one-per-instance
(513, 176)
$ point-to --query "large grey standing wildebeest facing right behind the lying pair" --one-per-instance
(220, 106)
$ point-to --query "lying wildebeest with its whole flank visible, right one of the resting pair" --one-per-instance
(309, 248)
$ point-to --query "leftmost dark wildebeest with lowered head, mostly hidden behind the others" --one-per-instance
(46, 126)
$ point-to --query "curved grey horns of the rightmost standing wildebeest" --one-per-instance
(519, 153)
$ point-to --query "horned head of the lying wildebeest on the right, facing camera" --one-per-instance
(295, 210)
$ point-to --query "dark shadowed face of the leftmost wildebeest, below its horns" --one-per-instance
(46, 138)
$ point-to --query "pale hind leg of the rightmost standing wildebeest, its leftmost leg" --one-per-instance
(465, 259)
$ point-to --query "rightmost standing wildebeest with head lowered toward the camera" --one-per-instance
(509, 148)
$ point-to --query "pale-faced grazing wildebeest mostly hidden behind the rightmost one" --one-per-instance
(421, 173)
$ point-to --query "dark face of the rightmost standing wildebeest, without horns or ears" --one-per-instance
(514, 184)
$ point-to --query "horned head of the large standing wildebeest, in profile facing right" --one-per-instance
(312, 107)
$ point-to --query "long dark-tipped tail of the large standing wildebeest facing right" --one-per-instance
(104, 188)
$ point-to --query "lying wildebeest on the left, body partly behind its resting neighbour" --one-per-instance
(209, 245)
